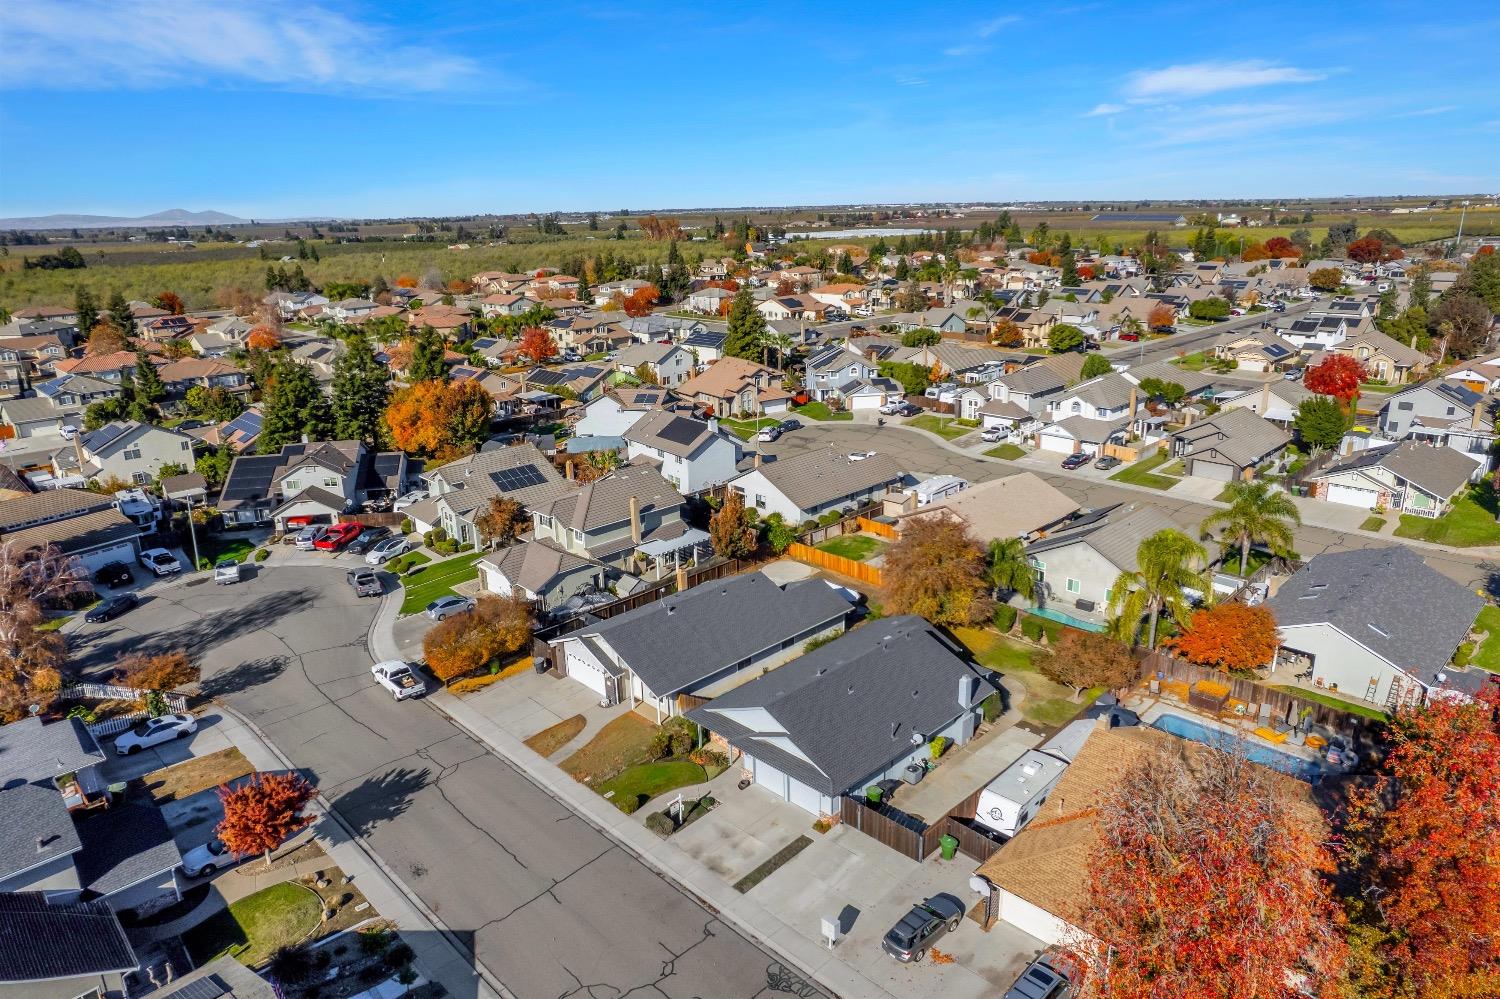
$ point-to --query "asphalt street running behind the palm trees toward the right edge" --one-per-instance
(920, 454)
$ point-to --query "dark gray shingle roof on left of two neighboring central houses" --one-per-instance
(682, 640)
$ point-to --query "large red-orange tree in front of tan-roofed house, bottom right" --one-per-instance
(1208, 881)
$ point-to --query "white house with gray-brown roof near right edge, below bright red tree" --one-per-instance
(1411, 476)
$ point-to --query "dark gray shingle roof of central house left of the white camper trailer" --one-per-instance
(854, 706)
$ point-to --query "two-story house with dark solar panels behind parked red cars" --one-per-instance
(310, 484)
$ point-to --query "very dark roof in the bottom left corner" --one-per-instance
(41, 941)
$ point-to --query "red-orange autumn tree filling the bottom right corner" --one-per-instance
(1427, 848)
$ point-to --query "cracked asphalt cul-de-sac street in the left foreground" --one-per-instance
(550, 905)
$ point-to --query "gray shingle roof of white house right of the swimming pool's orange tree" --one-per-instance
(1388, 601)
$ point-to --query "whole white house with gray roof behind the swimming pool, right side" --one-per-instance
(1378, 625)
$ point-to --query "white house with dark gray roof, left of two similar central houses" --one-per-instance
(703, 641)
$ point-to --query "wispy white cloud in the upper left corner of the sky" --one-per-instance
(95, 44)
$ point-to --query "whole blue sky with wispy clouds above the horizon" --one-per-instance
(271, 110)
